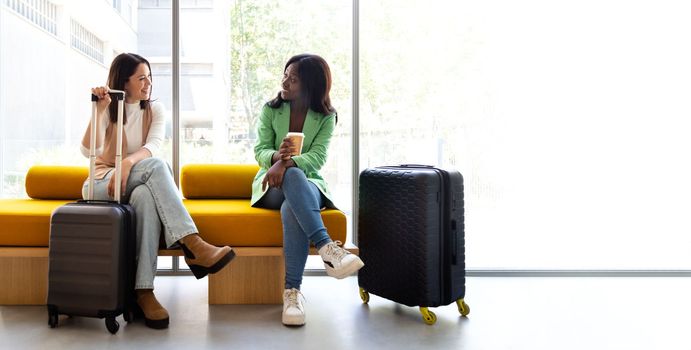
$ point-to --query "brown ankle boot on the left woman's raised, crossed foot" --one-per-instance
(202, 257)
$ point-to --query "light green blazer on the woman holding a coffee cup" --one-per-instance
(273, 127)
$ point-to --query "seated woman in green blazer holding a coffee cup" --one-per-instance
(292, 182)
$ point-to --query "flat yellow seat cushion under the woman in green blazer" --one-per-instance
(236, 223)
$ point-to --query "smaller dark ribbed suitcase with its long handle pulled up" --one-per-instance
(91, 254)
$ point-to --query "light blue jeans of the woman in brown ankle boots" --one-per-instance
(156, 201)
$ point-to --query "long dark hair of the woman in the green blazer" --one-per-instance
(315, 83)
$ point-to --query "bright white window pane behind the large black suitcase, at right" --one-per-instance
(568, 121)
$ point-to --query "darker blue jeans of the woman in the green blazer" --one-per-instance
(300, 202)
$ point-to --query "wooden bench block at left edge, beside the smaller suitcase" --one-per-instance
(24, 276)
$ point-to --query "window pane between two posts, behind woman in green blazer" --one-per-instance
(233, 55)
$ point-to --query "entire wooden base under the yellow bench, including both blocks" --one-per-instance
(255, 276)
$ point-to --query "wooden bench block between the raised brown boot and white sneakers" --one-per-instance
(255, 276)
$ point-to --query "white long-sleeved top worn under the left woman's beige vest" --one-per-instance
(133, 129)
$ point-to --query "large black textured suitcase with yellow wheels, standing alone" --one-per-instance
(411, 237)
